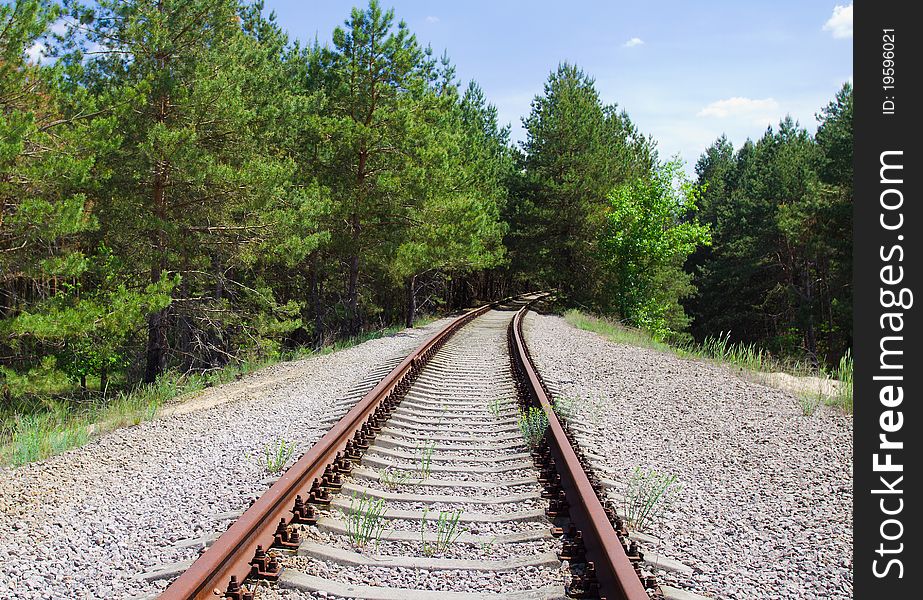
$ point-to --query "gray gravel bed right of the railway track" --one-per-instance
(766, 505)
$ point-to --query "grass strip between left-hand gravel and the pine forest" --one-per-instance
(50, 415)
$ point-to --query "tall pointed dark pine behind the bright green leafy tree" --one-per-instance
(576, 152)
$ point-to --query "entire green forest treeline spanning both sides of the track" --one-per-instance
(182, 186)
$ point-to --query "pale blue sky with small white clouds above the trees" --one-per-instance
(686, 72)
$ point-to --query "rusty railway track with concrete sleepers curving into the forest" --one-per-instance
(427, 488)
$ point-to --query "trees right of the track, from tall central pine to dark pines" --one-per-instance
(757, 250)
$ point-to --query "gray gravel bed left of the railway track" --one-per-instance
(85, 523)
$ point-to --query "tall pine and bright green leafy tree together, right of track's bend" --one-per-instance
(596, 214)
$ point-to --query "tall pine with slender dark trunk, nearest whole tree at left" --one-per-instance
(186, 177)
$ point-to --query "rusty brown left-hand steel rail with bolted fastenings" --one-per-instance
(232, 553)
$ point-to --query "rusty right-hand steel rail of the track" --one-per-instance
(616, 575)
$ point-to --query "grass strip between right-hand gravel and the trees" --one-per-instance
(720, 349)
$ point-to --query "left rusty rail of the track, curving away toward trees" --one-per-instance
(238, 553)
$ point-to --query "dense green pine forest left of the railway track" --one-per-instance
(182, 186)
